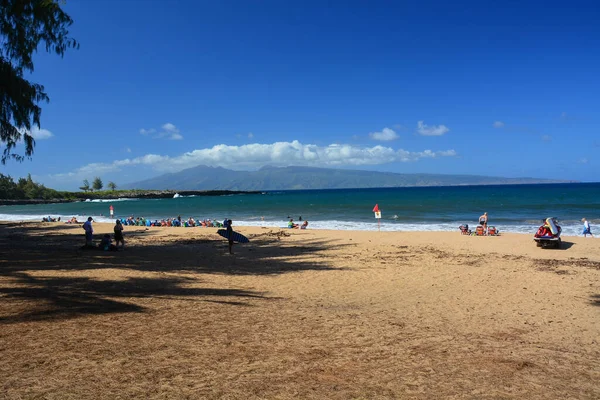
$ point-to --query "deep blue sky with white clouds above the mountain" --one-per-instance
(504, 89)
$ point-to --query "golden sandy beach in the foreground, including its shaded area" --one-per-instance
(296, 314)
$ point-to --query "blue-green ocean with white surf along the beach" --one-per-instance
(511, 208)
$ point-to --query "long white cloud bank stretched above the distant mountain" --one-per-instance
(256, 155)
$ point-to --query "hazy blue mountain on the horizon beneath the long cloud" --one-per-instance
(293, 178)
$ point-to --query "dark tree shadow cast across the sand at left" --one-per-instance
(32, 255)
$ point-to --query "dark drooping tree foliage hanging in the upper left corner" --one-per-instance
(23, 25)
